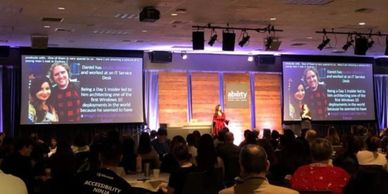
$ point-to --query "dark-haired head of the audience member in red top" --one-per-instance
(321, 149)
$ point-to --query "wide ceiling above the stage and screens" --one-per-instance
(114, 24)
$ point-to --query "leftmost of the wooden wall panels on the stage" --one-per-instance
(173, 98)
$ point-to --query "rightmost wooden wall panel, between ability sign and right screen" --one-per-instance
(267, 101)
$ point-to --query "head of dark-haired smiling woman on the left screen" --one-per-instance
(40, 89)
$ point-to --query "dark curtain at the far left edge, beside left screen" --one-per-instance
(11, 99)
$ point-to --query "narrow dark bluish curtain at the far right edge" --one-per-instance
(381, 91)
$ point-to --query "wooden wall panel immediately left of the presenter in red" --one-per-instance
(205, 96)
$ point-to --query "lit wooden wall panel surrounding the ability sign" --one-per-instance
(240, 118)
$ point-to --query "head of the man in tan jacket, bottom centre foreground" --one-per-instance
(253, 159)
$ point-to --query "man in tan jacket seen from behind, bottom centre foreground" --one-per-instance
(254, 165)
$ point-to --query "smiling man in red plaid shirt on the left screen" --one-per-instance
(66, 96)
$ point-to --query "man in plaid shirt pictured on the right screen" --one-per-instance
(316, 94)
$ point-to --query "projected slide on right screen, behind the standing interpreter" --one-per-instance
(331, 91)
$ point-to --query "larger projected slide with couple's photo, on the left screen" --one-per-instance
(81, 89)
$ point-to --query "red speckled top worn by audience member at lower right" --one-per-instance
(311, 177)
